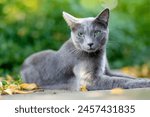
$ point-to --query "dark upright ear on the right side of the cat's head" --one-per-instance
(103, 16)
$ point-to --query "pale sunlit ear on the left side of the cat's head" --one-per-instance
(71, 20)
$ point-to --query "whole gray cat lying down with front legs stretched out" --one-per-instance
(81, 61)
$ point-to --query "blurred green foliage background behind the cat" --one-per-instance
(29, 26)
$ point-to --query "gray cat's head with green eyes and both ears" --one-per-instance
(89, 34)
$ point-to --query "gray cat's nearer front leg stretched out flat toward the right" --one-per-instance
(106, 82)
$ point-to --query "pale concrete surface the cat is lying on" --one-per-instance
(136, 94)
